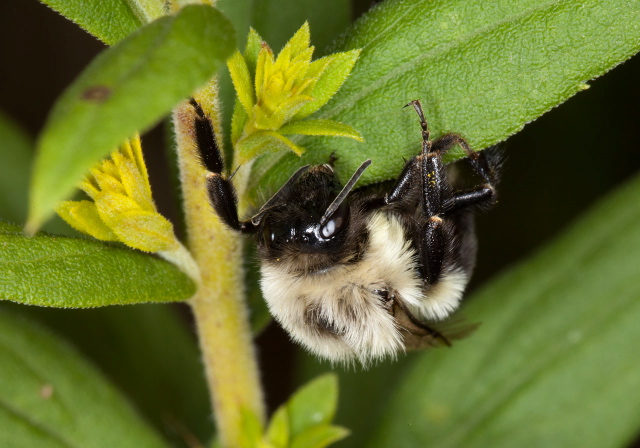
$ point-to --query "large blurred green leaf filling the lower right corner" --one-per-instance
(555, 362)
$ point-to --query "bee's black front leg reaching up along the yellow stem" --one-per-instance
(222, 193)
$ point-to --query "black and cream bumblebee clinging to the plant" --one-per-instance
(362, 274)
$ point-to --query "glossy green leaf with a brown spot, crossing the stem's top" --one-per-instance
(126, 89)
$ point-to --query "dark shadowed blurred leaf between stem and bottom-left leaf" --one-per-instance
(140, 337)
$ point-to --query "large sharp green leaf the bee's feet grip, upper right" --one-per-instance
(481, 69)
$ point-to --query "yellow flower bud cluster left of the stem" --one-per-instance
(121, 206)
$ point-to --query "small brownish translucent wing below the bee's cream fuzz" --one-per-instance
(418, 334)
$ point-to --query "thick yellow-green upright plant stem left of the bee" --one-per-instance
(219, 305)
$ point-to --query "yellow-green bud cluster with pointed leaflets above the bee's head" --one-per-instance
(275, 94)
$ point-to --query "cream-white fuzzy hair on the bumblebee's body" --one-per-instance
(344, 297)
